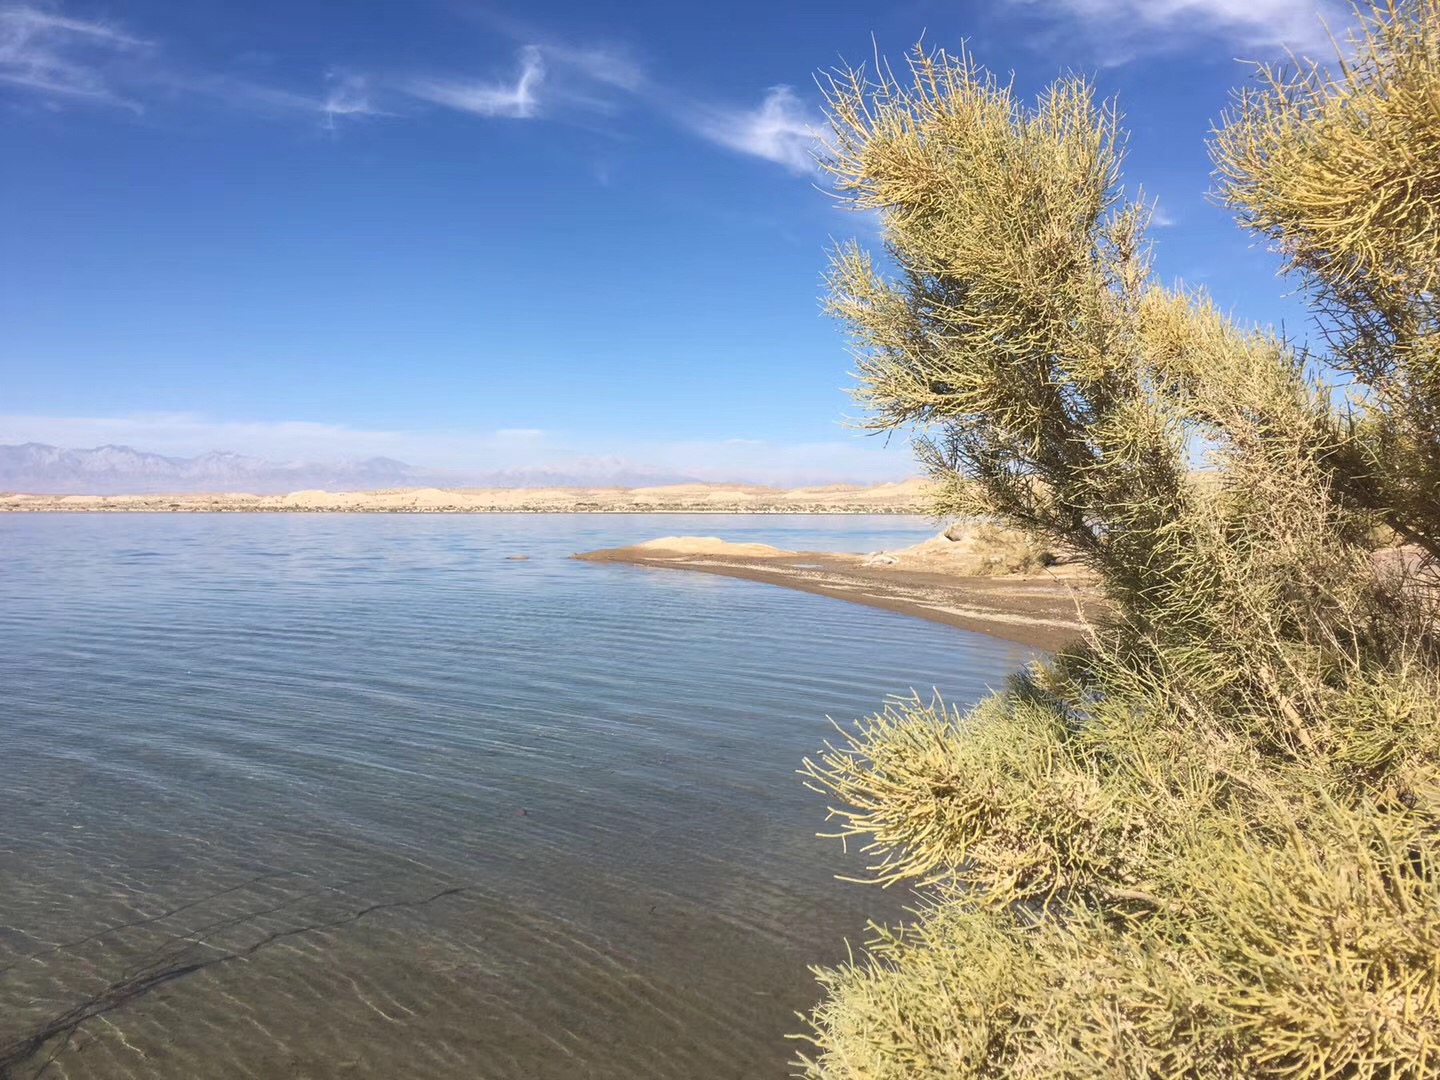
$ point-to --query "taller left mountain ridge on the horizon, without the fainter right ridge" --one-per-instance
(126, 472)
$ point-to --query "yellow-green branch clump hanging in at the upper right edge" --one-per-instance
(1341, 168)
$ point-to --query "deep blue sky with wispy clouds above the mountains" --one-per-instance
(483, 237)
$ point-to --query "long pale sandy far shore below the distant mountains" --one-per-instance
(906, 498)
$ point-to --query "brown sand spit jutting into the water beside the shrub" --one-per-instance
(941, 580)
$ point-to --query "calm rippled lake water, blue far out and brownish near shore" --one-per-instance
(358, 797)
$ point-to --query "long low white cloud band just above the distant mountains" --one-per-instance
(764, 462)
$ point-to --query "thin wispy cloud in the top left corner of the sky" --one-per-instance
(57, 57)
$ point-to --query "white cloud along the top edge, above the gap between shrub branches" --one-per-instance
(1167, 25)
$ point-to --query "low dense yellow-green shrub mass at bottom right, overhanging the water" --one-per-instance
(1133, 896)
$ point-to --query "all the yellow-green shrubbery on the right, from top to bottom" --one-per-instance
(1206, 842)
